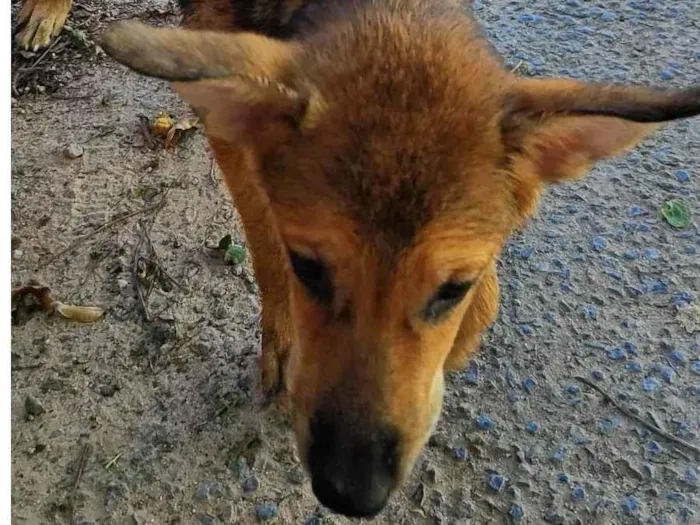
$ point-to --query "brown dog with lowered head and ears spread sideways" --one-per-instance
(379, 156)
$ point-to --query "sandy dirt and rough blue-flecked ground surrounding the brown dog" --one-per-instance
(149, 416)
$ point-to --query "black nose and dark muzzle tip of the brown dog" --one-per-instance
(353, 468)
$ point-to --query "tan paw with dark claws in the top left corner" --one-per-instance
(41, 21)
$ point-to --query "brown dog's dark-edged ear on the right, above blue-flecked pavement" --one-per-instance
(556, 130)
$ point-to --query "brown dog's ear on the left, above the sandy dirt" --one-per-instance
(233, 81)
